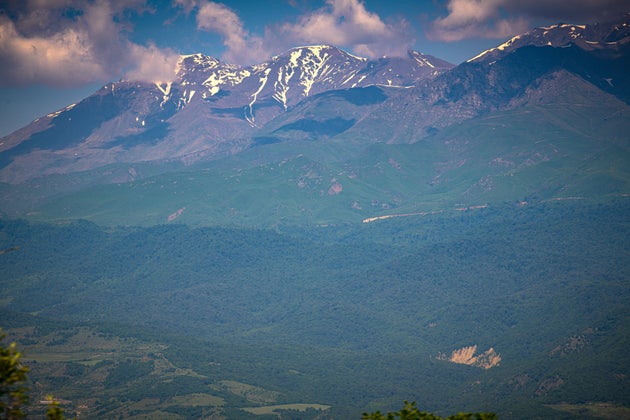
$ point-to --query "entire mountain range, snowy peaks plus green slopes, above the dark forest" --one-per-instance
(547, 99)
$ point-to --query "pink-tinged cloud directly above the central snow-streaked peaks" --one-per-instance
(343, 23)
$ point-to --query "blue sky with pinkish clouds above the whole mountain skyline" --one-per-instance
(56, 52)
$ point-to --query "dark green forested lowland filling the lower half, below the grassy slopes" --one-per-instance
(328, 322)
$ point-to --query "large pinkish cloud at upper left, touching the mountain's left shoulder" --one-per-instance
(71, 42)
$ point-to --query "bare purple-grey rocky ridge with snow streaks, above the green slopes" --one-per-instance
(214, 109)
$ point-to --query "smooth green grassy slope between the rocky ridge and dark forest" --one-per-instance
(569, 143)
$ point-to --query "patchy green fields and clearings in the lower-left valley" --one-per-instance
(111, 368)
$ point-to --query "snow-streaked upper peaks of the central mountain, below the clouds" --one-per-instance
(296, 74)
